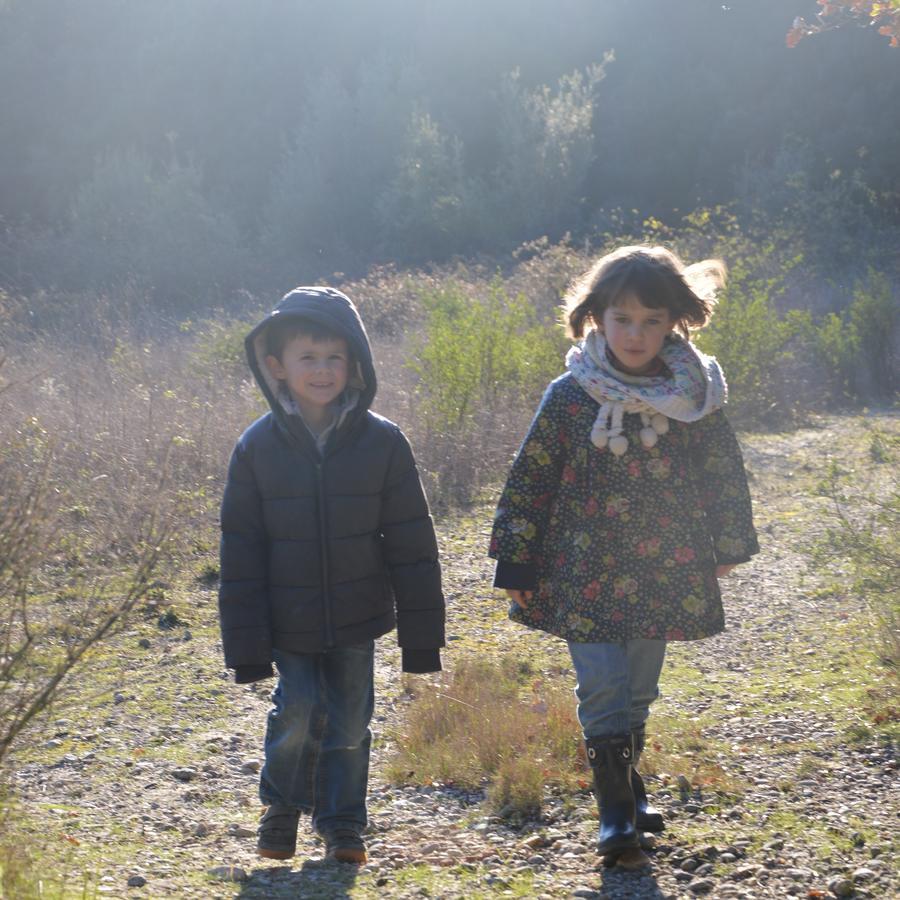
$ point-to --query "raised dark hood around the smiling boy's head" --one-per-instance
(327, 307)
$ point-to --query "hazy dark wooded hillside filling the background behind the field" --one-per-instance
(136, 160)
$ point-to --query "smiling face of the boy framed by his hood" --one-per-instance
(315, 372)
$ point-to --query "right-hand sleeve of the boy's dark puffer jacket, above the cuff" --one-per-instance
(411, 554)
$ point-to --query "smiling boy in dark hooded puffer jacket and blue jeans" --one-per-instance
(327, 543)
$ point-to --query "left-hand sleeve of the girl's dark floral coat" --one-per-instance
(523, 510)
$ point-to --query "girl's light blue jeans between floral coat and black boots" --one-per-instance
(617, 682)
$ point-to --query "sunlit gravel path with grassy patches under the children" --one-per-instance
(150, 788)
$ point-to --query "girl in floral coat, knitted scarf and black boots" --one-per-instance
(625, 504)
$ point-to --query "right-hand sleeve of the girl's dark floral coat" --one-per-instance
(724, 494)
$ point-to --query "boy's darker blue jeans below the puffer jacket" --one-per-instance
(318, 738)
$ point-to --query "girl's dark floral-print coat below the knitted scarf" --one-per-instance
(621, 547)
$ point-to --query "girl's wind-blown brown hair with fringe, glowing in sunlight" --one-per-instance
(659, 280)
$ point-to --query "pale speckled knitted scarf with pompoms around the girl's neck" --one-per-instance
(695, 388)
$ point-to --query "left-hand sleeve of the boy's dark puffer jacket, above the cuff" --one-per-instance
(243, 603)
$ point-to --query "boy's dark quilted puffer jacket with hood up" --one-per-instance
(329, 548)
